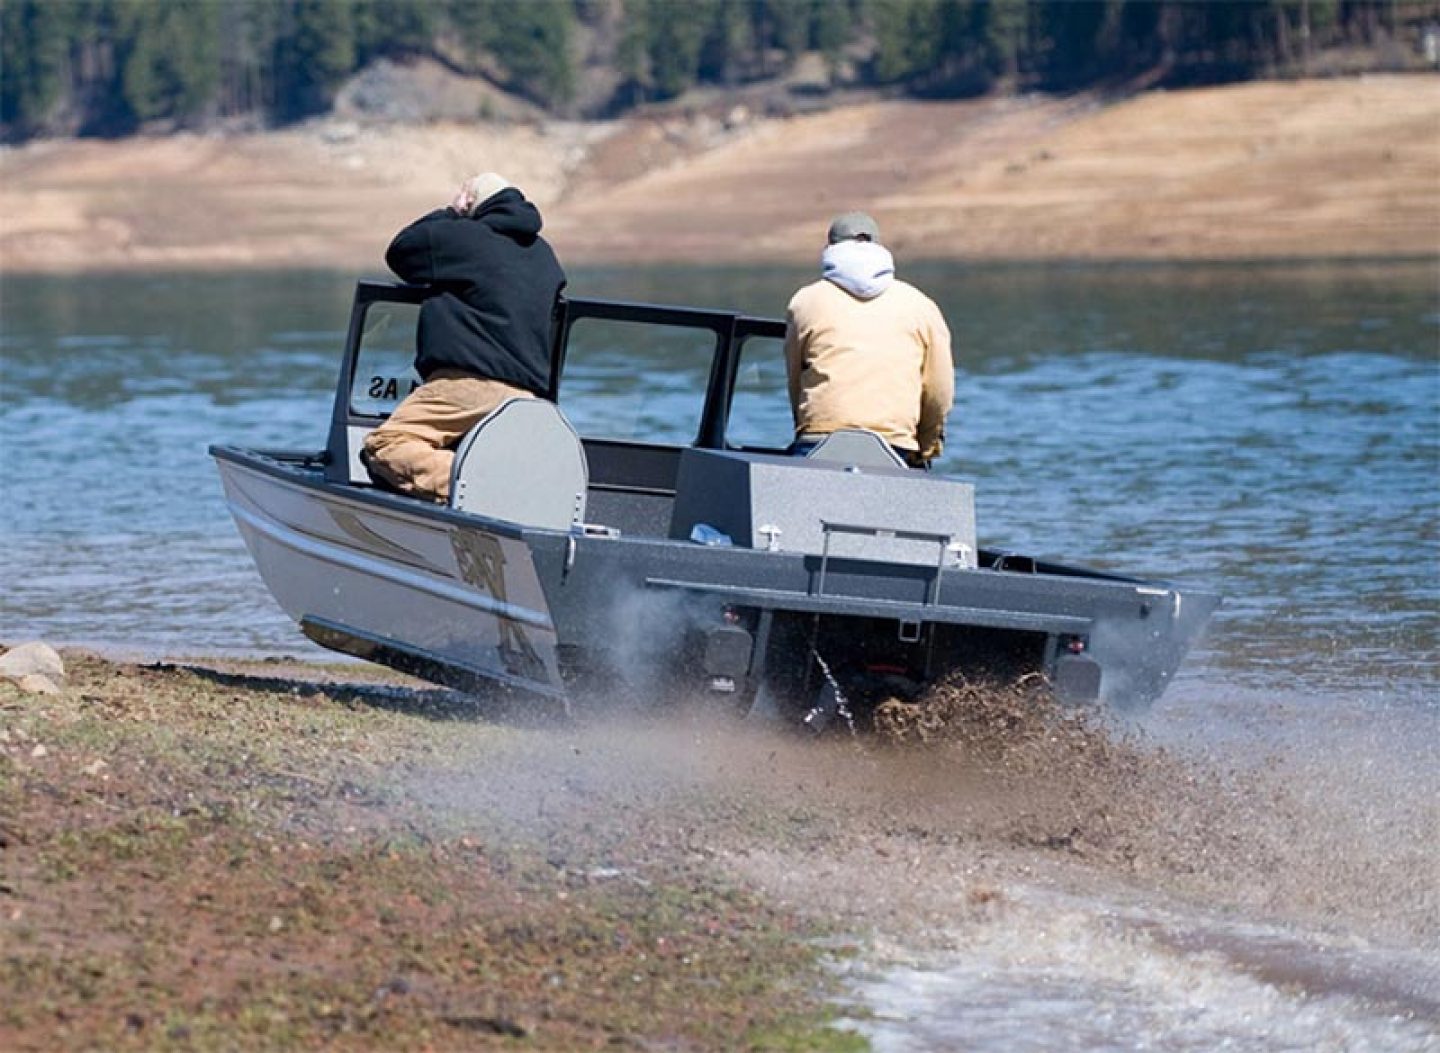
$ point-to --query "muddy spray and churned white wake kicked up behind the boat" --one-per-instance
(1235, 872)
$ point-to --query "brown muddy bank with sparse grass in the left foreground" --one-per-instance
(218, 859)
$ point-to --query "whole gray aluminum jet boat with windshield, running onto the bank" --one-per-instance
(653, 537)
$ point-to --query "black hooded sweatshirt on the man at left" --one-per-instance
(498, 280)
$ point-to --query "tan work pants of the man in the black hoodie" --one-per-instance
(415, 449)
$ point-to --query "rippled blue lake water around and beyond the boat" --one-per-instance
(1271, 431)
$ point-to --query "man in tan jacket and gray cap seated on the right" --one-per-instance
(868, 351)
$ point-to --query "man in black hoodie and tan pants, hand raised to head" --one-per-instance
(483, 338)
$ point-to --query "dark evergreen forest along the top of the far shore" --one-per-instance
(119, 67)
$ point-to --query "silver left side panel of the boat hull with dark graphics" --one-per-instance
(413, 587)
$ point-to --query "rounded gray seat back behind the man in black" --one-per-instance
(525, 465)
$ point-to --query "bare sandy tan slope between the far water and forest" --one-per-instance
(1313, 169)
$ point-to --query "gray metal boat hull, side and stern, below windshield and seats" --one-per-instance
(467, 601)
